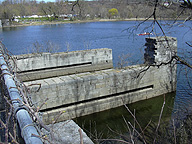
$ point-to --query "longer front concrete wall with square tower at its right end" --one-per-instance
(89, 92)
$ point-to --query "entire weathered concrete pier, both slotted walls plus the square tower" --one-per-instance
(84, 82)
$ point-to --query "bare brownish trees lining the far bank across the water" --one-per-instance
(89, 9)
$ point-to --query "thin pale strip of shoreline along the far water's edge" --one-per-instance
(82, 21)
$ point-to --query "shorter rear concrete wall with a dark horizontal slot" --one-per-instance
(47, 65)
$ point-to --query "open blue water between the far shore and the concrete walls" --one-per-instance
(120, 36)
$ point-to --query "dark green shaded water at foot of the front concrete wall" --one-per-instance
(110, 123)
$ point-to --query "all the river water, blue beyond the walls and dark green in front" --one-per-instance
(121, 37)
